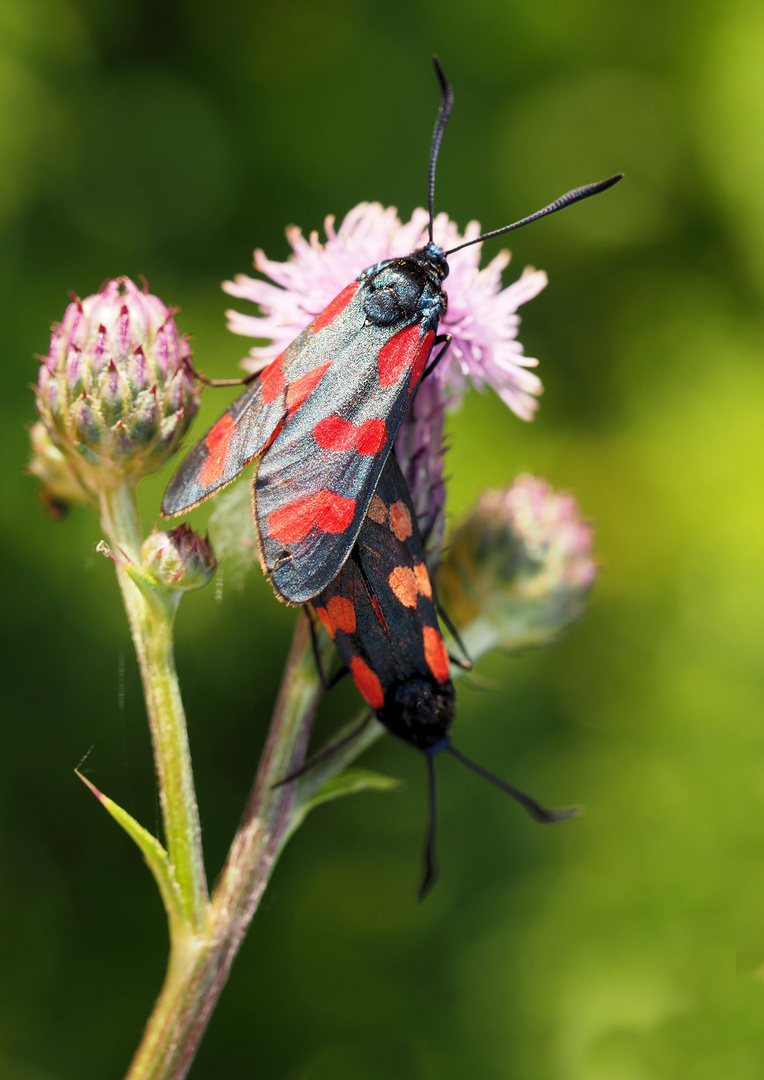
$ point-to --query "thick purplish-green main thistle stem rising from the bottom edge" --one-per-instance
(193, 988)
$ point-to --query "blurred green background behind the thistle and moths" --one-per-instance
(170, 140)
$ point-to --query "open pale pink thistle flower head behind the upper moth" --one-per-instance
(481, 318)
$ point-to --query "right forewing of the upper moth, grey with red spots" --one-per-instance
(314, 487)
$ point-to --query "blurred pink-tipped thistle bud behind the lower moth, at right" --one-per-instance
(519, 569)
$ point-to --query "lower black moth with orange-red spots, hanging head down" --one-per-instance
(381, 614)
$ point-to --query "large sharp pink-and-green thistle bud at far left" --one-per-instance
(116, 391)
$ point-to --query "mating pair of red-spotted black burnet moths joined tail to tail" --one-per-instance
(334, 518)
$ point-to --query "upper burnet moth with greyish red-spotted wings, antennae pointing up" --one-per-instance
(324, 416)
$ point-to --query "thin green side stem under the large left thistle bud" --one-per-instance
(152, 626)
